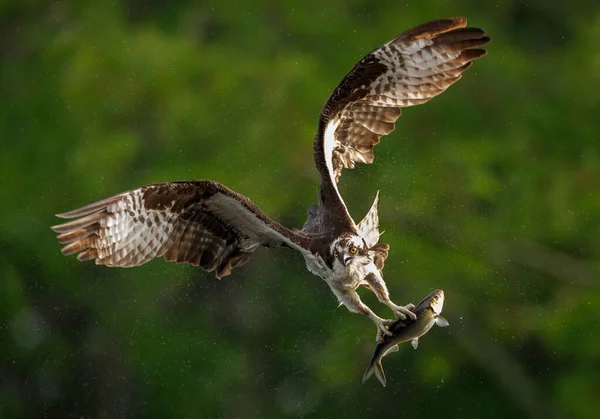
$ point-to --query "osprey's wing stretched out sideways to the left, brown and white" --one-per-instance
(198, 222)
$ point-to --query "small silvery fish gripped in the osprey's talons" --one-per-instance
(428, 313)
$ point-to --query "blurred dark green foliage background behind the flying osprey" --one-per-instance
(491, 192)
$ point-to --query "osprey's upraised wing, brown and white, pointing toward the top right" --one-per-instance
(412, 68)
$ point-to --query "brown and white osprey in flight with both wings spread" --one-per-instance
(206, 224)
